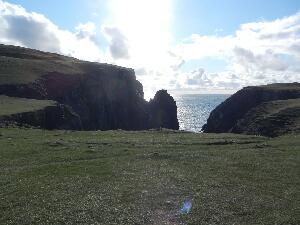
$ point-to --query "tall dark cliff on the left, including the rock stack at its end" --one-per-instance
(103, 96)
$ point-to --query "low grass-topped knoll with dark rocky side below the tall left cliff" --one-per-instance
(37, 113)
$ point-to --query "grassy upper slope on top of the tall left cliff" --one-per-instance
(21, 65)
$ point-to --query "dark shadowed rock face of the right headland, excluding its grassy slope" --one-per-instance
(230, 116)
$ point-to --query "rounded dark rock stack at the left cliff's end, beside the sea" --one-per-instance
(163, 111)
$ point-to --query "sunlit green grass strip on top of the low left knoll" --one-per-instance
(11, 105)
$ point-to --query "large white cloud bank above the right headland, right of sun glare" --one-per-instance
(258, 52)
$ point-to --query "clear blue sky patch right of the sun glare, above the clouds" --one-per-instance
(207, 16)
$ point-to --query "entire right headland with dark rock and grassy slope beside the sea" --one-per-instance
(268, 110)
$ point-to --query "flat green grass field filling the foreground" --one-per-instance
(116, 177)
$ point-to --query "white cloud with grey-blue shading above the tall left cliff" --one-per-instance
(33, 30)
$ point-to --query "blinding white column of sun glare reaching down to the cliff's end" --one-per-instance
(148, 27)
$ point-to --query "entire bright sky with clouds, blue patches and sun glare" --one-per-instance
(185, 46)
